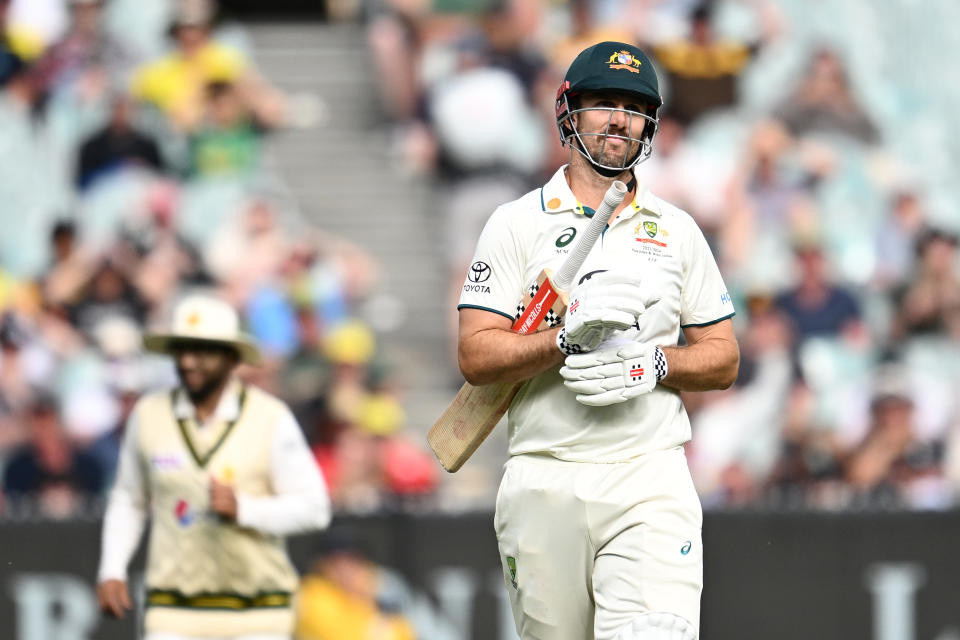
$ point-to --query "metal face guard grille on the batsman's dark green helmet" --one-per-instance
(638, 135)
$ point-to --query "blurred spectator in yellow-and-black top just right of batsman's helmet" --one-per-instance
(702, 70)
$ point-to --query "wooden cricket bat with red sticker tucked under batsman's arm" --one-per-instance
(476, 410)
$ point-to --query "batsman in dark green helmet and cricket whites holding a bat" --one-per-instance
(597, 519)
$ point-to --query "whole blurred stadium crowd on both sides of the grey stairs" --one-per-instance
(132, 154)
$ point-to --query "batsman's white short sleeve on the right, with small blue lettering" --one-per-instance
(704, 299)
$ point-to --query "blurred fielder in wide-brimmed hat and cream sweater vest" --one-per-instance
(224, 473)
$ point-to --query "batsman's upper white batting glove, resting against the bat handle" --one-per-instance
(600, 307)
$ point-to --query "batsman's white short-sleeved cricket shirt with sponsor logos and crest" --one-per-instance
(653, 240)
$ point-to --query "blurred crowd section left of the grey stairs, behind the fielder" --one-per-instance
(131, 172)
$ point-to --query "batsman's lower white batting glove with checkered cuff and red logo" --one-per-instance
(614, 374)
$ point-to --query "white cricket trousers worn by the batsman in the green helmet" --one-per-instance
(586, 547)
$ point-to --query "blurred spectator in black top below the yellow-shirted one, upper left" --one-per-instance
(117, 145)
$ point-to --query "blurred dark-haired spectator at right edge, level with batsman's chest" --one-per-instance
(930, 303)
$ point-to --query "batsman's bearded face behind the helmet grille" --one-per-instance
(611, 125)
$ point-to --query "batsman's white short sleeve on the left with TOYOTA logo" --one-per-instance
(493, 280)
